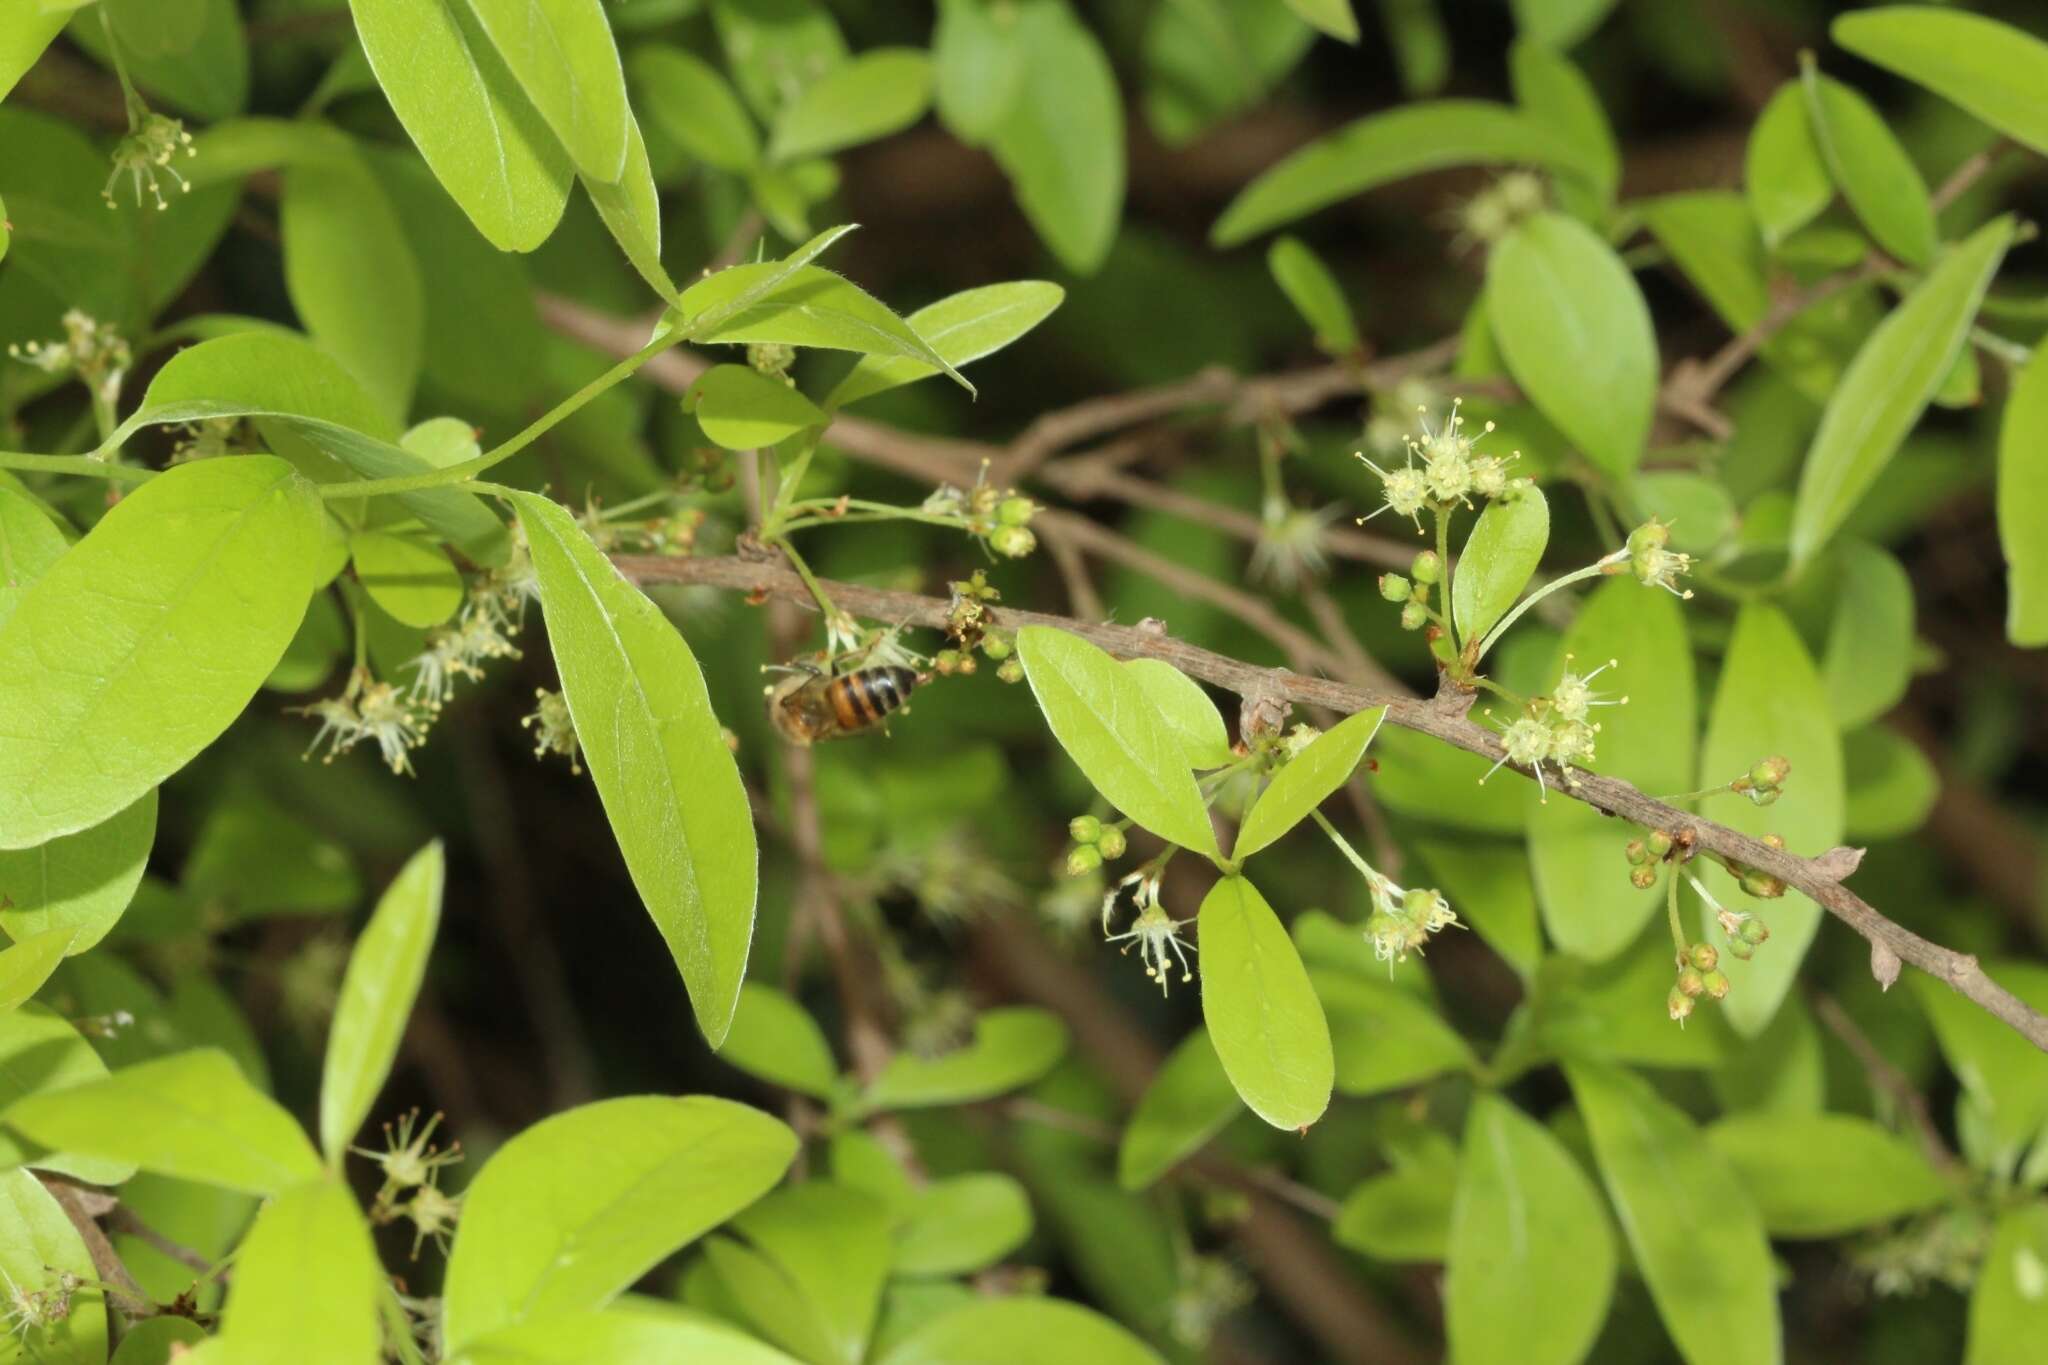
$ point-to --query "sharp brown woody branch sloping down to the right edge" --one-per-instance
(1818, 877)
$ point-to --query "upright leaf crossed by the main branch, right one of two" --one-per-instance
(1770, 701)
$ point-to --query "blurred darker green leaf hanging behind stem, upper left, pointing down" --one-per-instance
(351, 273)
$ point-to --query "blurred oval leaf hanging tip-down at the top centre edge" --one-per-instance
(1062, 140)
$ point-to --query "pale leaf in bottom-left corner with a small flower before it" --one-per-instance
(40, 1247)
